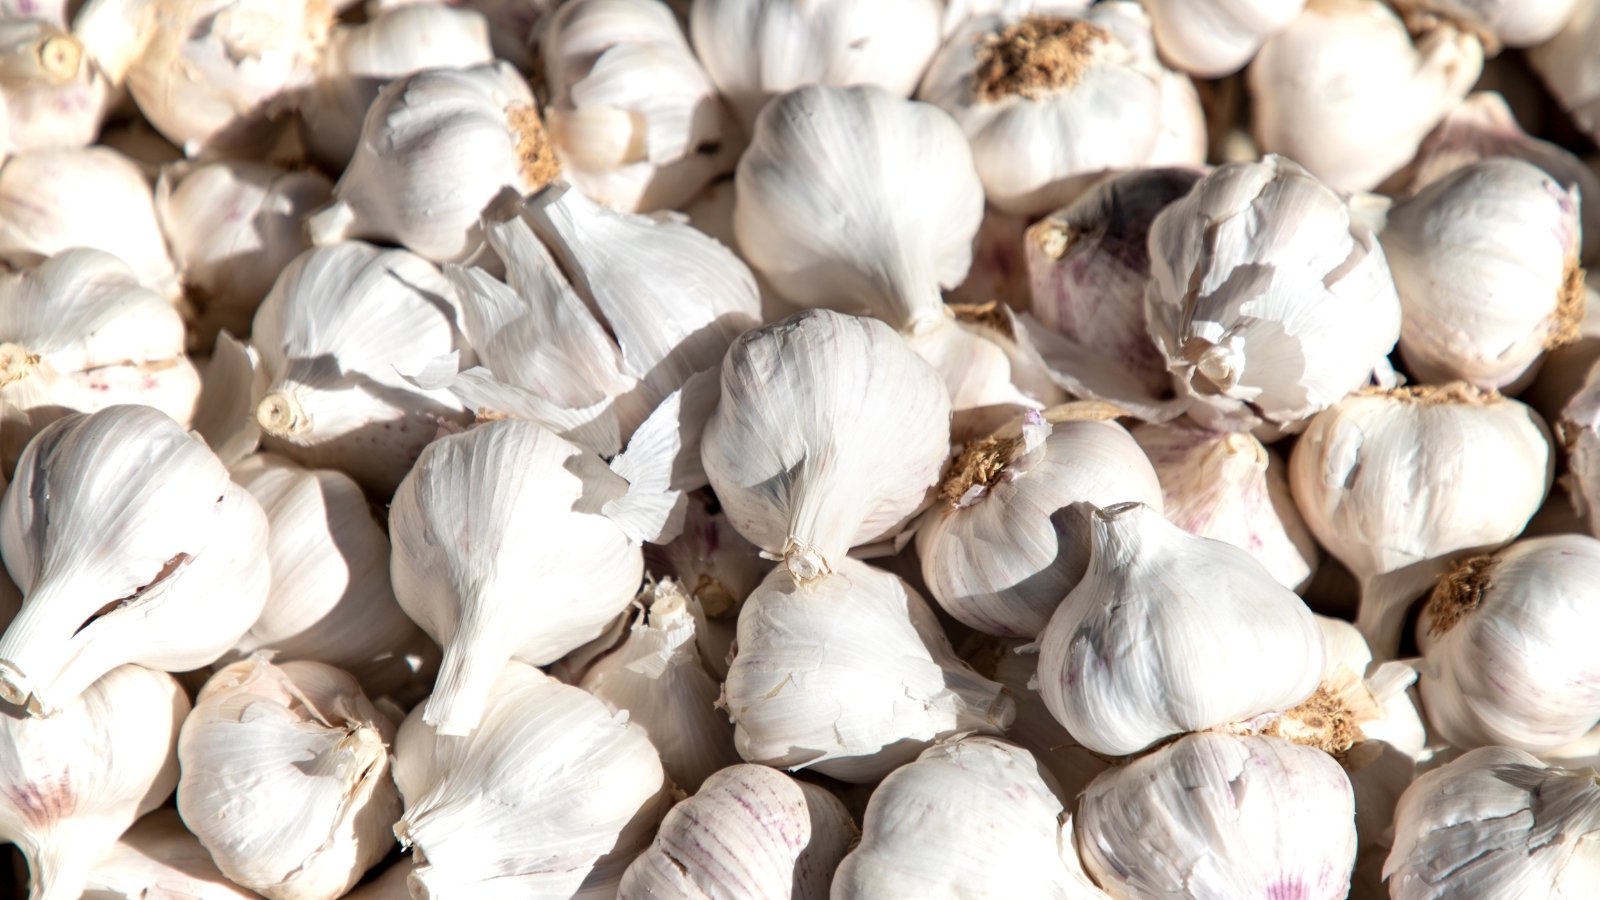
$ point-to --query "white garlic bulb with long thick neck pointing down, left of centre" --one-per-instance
(502, 552)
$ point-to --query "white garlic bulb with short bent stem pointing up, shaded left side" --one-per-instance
(1170, 633)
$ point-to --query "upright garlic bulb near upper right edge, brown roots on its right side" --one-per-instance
(1486, 262)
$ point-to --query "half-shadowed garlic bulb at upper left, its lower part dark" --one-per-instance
(233, 227)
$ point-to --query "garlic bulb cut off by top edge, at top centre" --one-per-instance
(759, 50)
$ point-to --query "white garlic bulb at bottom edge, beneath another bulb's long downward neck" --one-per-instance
(535, 802)
